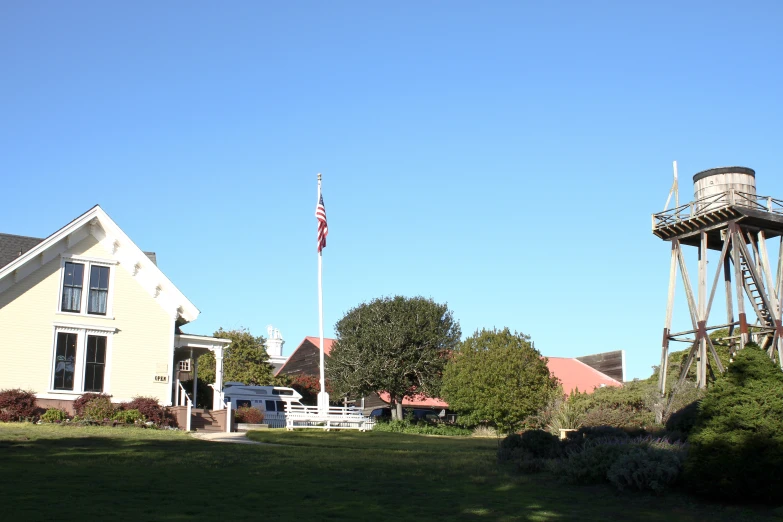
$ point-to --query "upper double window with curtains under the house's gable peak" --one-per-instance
(86, 287)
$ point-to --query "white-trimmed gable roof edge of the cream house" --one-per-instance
(97, 223)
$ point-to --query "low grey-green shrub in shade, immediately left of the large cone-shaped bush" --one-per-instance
(646, 467)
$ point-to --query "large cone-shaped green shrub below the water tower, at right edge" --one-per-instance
(736, 446)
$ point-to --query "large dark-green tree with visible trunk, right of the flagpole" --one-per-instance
(394, 344)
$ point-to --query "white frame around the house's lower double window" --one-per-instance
(81, 331)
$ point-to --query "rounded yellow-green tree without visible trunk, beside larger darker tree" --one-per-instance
(496, 377)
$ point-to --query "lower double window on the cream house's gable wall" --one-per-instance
(80, 360)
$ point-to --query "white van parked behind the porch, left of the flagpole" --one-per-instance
(271, 400)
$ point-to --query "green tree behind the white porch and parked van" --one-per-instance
(244, 360)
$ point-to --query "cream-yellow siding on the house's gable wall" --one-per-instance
(140, 348)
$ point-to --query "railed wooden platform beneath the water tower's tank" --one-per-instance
(712, 214)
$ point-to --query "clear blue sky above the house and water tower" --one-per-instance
(501, 157)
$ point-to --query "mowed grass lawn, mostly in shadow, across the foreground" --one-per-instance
(66, 473)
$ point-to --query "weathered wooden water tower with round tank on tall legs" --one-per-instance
(726, 215)
